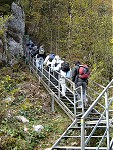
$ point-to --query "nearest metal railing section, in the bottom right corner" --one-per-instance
(103, 103)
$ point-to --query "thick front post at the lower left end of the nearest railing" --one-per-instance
(82, 134)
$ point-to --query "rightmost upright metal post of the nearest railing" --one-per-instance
(107, 120)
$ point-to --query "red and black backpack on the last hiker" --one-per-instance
(83, 72)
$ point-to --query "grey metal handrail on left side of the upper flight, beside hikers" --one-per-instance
(72, 88)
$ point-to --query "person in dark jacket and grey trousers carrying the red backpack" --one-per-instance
(79, 82)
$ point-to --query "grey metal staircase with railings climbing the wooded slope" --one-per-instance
(91, 126)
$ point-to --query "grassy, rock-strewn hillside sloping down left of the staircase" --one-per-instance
(24, 105)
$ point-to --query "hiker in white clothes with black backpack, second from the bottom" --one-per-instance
(65, 69)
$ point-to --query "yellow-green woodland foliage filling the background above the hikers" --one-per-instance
(80, 29)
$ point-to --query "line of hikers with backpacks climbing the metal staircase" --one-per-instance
(78, 74)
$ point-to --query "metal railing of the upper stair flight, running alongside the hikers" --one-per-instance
(49, 79)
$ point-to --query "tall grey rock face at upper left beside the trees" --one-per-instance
(15, 30)
